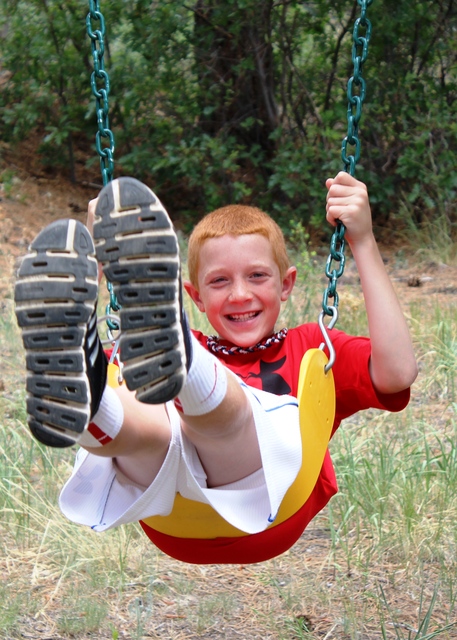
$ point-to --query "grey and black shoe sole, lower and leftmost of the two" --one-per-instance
(55, 295)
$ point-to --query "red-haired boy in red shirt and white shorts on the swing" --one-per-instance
(194, 429)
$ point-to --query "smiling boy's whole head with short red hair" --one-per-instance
(237, 280)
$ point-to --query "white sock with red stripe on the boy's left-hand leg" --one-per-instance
(106, 423)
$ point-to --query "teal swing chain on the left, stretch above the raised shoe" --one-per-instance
(100, 85)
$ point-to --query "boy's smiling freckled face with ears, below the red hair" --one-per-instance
(240, 288)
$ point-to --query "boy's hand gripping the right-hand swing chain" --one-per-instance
(347, 201)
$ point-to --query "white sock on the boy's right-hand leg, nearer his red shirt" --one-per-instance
(206, 383)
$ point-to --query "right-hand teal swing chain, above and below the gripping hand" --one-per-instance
(354, 112)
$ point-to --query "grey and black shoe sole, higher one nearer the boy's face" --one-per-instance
(138, 249)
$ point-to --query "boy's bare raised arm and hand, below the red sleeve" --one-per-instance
(393, 365)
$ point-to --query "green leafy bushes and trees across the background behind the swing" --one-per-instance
(244, 102)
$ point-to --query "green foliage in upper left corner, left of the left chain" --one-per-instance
(44, 55)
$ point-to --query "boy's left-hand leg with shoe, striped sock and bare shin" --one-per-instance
(67, 401)
